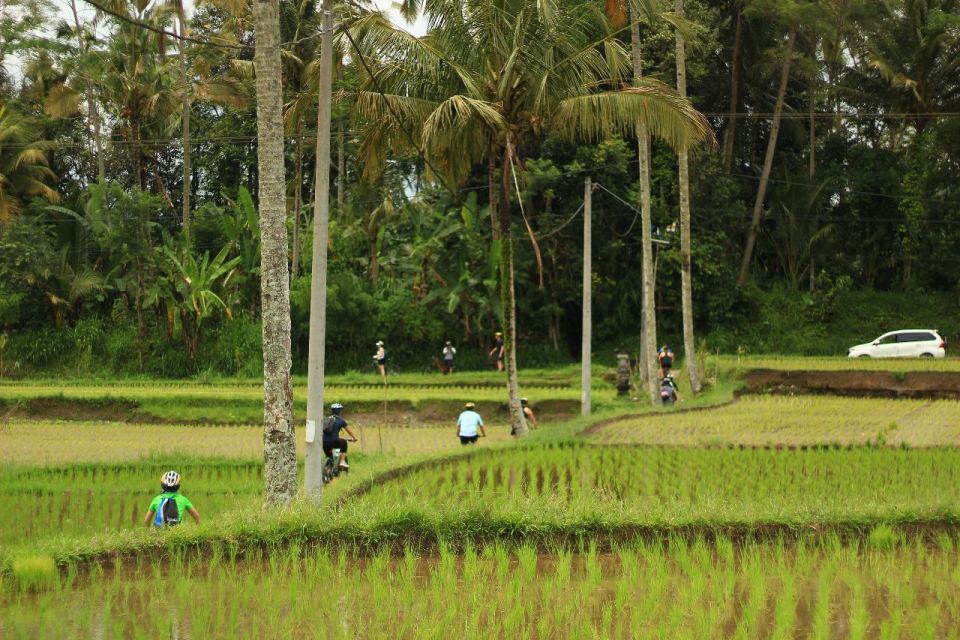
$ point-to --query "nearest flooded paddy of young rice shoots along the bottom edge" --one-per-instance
(676, 589)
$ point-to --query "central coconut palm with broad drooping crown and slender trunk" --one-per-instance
(487, 79)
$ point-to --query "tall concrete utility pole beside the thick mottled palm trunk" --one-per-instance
(313, 476)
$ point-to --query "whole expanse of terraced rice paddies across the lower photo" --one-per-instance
(767, 517)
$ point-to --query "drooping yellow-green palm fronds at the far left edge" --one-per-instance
(24, 172)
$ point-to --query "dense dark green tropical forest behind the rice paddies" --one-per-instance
(99, 274)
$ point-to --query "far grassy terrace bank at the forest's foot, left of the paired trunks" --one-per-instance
(240, 401)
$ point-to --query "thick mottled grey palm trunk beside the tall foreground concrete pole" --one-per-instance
(279, 452)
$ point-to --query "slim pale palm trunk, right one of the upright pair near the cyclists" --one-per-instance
(683, 160)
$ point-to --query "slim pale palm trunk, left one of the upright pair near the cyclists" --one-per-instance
(648, 360)
